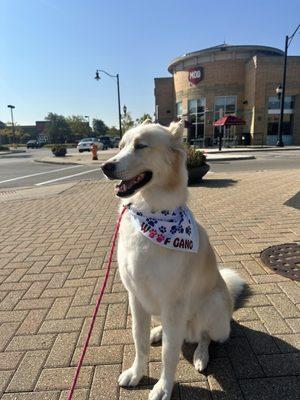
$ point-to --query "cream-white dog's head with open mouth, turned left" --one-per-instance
(150, 155)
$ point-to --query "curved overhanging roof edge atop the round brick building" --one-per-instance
(251, 50)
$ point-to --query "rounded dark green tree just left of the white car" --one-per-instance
(57, 129)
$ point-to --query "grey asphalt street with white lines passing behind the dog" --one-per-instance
(20, 170)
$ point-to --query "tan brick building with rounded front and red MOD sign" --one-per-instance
(231, 80)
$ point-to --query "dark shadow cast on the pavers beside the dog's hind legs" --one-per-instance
(251, 365)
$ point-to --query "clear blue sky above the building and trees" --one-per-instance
(50, 49)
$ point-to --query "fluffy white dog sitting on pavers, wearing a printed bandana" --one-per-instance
(165, 259)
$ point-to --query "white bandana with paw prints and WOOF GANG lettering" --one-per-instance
(175, 229)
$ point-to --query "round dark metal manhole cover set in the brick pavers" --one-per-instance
(284, 259)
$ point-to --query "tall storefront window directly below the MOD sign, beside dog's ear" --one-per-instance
(196, 112)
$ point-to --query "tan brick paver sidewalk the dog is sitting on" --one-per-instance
(52, 252)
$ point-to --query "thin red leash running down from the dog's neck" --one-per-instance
(79, 365)
